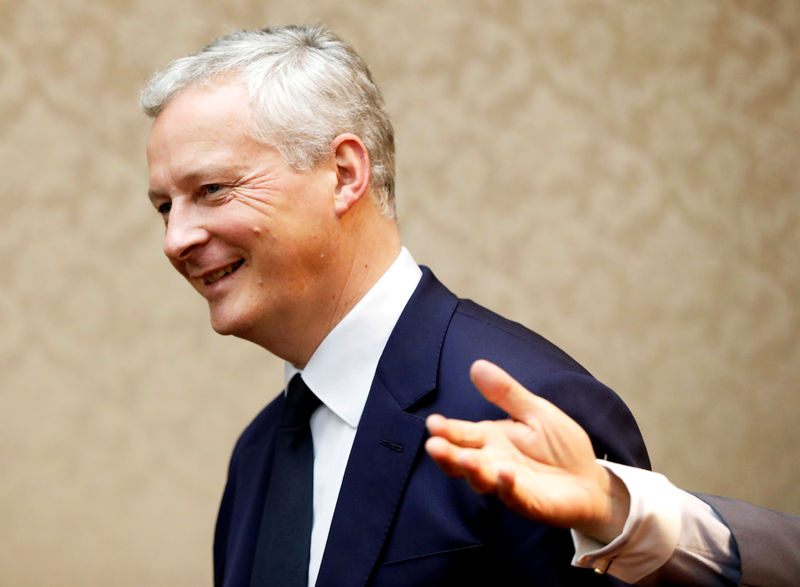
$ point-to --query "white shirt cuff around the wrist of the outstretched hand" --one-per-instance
(669, 535)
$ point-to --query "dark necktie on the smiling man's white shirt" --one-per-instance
(281, 558)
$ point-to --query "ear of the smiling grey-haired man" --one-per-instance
(352, 171)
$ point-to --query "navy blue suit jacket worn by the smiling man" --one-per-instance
(399, 520)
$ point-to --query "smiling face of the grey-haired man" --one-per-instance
(253, 236)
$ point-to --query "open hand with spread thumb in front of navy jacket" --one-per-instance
(539, 462)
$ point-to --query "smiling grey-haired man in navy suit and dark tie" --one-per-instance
(272, 161)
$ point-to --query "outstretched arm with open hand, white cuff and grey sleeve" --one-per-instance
(542, 466)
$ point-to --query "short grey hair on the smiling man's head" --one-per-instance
(306, 87)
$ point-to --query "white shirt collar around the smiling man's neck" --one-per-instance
(341, 370)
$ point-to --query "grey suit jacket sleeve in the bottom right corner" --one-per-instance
(768, 541)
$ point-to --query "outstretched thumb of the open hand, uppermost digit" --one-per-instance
(505, 392)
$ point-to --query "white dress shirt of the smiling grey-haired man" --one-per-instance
(340, 374)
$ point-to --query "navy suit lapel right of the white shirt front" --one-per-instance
(389, 437)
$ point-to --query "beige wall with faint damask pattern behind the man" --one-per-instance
(620, 176)
